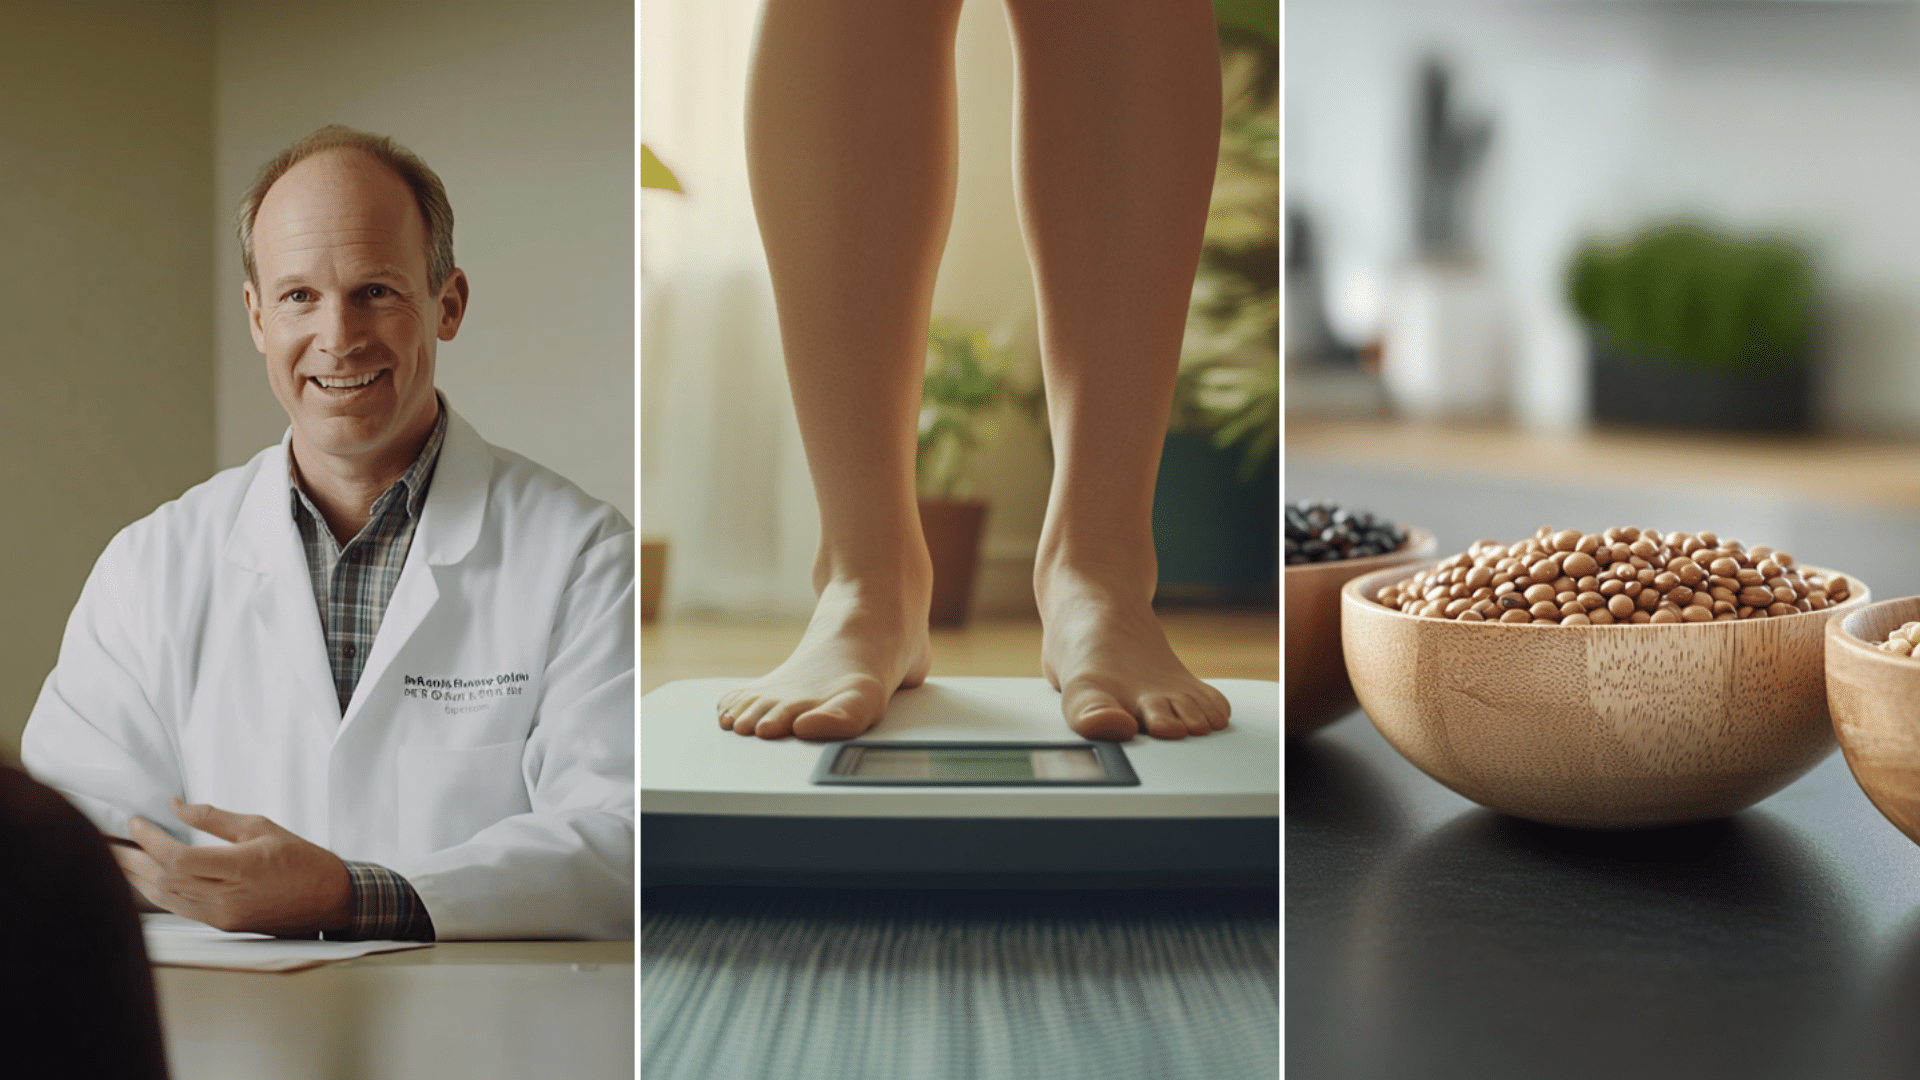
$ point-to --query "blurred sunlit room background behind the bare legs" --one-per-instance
(729, 516)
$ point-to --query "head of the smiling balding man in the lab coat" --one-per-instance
(345, 314)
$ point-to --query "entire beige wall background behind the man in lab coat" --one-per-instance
(128, 134)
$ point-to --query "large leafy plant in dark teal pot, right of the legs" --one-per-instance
(1216, 501)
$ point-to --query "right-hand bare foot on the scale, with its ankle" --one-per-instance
(1115, 668)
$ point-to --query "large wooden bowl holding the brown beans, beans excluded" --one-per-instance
(1596, 727)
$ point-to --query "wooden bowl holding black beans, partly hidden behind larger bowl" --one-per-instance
(1318, 691)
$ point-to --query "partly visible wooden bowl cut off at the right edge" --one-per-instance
(1877, 708)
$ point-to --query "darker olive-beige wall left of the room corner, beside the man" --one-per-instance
(107, 147)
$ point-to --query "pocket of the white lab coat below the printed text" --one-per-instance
(446, 797)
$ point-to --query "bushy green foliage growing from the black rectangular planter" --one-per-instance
(1691, 297)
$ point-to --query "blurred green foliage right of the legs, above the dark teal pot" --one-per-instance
(1230, 383)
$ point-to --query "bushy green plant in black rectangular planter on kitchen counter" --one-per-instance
(1696, 330)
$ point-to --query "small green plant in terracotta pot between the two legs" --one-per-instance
(969, 383)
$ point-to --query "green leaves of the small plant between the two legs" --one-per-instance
(967, 387)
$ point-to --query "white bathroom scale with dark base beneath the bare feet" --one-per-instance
(965, 783)
